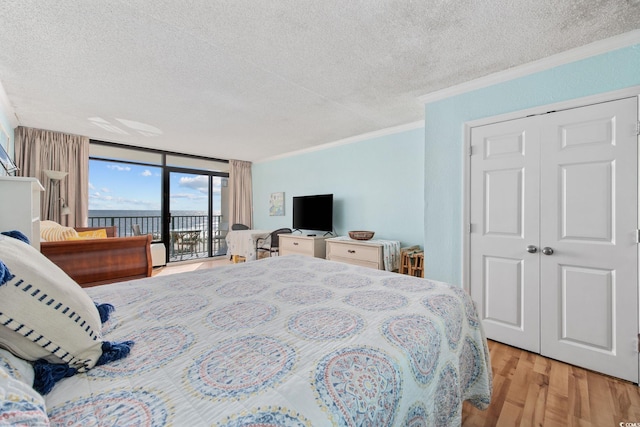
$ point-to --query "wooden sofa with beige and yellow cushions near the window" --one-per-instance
(94, 256)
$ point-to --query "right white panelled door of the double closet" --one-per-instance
(589, 283)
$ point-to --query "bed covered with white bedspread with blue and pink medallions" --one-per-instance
(287, 341)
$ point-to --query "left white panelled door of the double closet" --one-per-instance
(504, 276)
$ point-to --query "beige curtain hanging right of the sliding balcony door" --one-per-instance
(241, 194)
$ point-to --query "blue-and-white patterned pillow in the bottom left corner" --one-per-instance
(19, 403)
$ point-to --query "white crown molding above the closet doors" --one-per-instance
(566, 57)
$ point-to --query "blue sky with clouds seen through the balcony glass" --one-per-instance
(122, 186)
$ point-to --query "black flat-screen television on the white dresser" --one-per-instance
(313, 212)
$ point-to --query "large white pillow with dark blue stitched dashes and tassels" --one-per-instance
(44, 314)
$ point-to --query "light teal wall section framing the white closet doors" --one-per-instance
(444, 140)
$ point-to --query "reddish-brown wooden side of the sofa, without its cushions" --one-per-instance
(99, 261)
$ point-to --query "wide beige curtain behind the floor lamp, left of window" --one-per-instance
(37, 150)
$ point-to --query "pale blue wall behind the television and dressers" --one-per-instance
(377, 184)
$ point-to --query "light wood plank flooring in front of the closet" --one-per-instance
(531, 390)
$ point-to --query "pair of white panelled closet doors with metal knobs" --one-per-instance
(553, 242)
